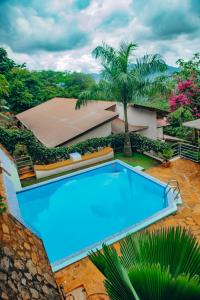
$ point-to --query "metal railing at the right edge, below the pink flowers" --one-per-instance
(187, 151)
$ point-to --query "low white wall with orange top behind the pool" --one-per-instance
(67, 165)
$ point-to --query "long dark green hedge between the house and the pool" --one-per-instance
(40, 154)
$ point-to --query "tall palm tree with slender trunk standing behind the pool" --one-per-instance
(124, 81)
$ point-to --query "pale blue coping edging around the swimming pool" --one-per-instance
(171, 208)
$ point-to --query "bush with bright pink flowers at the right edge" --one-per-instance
(188, 96)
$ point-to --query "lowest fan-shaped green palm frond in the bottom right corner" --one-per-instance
(156, 282)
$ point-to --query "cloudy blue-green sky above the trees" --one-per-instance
(60, 34)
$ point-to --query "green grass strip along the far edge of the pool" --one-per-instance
(137, 159)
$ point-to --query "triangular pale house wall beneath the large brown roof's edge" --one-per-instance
(101, 131)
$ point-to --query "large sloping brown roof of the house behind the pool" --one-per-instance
(56, 121)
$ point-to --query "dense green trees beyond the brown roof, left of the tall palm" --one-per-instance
(22, 88)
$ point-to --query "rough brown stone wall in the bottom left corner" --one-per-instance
(25, 272)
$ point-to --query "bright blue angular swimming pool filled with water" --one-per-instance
(76, 213)
